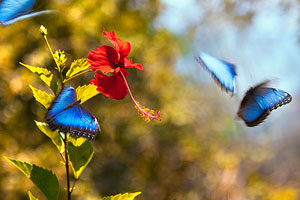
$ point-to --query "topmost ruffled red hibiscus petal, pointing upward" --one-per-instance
(123, 48)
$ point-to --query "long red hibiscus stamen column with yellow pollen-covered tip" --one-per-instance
(146, 113)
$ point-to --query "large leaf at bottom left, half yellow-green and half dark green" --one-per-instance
(44, 179)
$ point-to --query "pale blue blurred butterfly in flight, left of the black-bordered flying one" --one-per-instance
(223, 72)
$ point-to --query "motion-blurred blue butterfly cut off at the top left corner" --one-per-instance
(12, 11)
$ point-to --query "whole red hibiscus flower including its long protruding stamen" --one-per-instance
(107, 59)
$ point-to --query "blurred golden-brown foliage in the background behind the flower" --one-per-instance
(198, 151)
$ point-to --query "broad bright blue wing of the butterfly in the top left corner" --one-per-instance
(10, 9)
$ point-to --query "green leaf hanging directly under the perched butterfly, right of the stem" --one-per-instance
(80, 156)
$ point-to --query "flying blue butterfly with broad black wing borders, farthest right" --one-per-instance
(259, 101)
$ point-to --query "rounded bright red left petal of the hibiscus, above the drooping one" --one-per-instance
(104, 58)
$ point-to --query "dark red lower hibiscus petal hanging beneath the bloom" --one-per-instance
(111, 86)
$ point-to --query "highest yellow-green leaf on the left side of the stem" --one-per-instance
(45, 75)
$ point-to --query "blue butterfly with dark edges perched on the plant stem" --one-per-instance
(68, 116)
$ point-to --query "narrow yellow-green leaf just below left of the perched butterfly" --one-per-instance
(53, 135)
